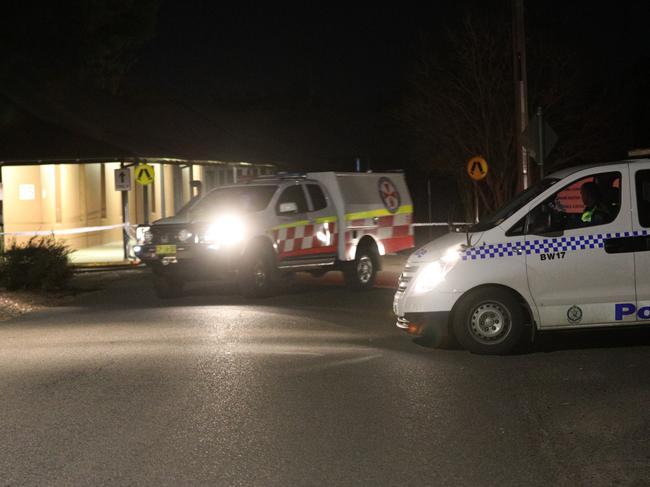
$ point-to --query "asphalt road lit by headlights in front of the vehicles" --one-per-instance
(313, 387)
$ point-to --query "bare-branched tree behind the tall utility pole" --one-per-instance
(461, 105)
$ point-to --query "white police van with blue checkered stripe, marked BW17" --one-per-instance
(571, 251)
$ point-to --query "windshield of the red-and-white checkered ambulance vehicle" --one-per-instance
(241, 199)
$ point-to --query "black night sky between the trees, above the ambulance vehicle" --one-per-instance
(336, 75)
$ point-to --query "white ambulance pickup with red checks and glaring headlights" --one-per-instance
(253, 233)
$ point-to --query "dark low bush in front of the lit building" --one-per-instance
(41, 263)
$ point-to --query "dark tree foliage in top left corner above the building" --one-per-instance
(58, 44)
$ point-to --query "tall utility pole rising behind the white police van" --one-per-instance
(521, 91)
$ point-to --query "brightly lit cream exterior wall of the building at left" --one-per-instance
(68, 196)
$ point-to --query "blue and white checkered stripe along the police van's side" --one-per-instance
(545, 245)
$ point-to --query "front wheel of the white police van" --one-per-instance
(489, 321)
